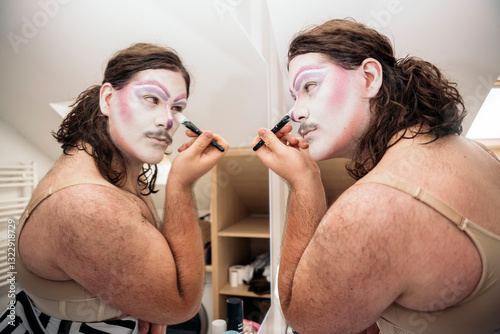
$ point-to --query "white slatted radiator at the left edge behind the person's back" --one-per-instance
(17, 183)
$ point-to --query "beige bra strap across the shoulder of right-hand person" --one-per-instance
(418, 193)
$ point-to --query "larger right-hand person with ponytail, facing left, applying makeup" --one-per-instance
(414, 245)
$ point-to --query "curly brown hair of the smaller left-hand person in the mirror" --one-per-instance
(86, 127)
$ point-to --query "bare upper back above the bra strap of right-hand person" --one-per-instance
(454, 169)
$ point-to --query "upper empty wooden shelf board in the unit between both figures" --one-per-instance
(250, 227)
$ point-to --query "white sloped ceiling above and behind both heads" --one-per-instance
(51, 50)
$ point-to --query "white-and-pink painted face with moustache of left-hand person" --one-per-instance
(141, 122)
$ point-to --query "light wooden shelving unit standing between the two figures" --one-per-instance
(240, 221)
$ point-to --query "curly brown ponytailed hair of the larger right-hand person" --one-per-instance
(414, 93)
